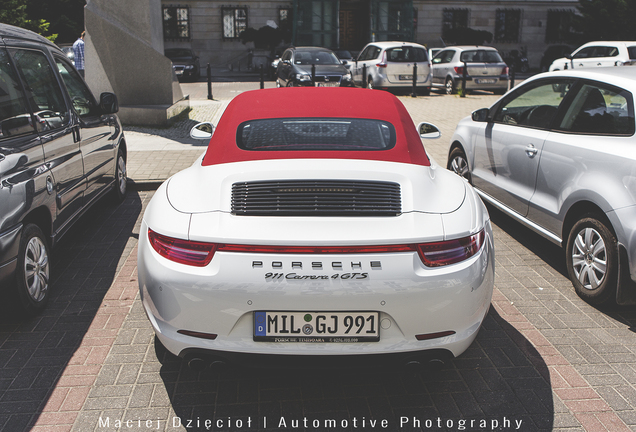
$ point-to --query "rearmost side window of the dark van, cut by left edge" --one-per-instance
(15, 116)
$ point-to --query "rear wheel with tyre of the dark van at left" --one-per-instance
(33, 271)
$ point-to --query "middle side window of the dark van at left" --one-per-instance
(42, 89)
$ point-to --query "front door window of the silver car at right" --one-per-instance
(536, 107)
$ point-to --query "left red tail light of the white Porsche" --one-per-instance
(196, 254)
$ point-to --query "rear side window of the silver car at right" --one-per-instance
(599, 109)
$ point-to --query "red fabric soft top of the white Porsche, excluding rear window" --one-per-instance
(320, 102)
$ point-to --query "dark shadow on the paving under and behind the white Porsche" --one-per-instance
(500, 380)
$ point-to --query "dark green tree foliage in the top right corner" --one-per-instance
(606, 20)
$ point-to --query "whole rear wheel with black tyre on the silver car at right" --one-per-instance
(592, 260)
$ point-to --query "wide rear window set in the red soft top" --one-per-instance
(315, 134)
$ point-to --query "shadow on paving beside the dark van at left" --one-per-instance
(35, 351)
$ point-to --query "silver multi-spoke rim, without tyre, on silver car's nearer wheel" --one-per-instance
(589, 258)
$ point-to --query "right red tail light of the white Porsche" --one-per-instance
(450, 251)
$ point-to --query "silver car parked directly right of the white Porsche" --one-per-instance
(558, 154)
